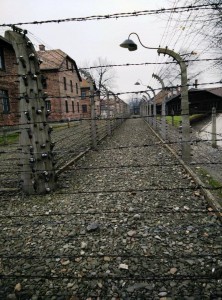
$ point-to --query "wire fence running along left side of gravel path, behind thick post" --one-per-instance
(69, 140)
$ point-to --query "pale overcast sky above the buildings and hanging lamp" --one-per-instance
(86, 41)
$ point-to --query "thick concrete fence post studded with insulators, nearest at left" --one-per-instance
(36, 158)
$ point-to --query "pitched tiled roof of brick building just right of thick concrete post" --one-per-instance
(53, 60)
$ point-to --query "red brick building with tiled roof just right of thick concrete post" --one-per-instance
(61, 80)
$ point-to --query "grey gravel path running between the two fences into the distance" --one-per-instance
(127, 222)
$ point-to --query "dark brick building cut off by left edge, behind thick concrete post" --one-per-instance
(9, 87)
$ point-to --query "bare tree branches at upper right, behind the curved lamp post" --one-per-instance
(197, 31)
